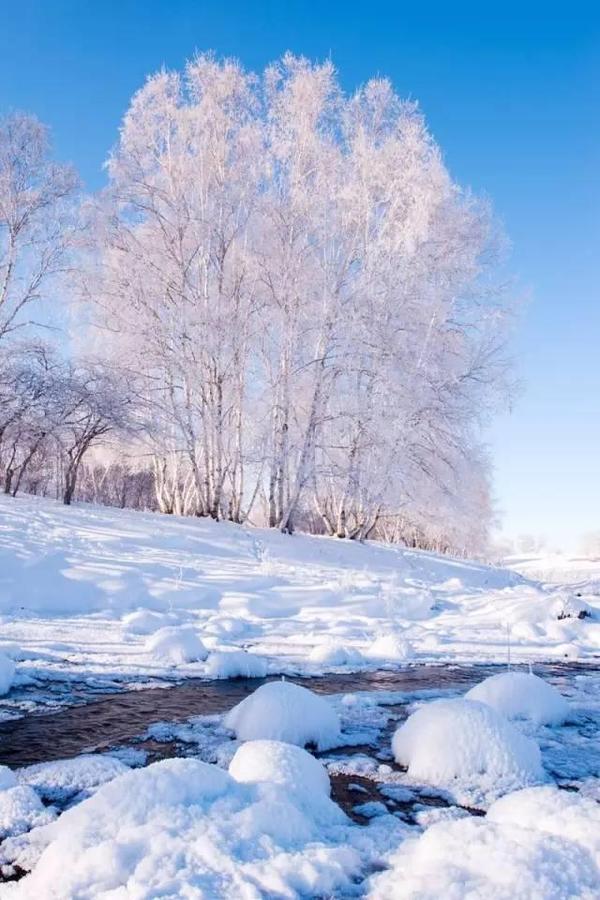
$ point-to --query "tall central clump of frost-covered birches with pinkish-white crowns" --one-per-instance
(305, 302)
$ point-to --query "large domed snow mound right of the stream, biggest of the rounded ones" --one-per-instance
(464, 742)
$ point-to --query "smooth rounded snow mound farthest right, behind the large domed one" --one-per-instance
(521, 695)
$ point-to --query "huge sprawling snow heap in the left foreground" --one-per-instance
(183, 828)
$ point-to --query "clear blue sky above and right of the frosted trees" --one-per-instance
(511, 91)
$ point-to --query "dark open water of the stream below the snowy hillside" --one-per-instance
(118, 718)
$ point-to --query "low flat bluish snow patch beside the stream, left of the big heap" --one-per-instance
(59, 781)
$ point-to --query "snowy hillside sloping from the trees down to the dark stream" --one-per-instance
(98, 591)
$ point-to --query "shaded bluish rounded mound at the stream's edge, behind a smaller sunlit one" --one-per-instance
(282, 711)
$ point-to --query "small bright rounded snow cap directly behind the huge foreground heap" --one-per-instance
(282, 764)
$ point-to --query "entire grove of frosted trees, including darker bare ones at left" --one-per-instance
(283, 311)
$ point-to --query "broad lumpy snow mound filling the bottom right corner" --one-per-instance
(536, 843)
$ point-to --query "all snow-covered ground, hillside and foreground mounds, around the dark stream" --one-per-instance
(491, 792)
